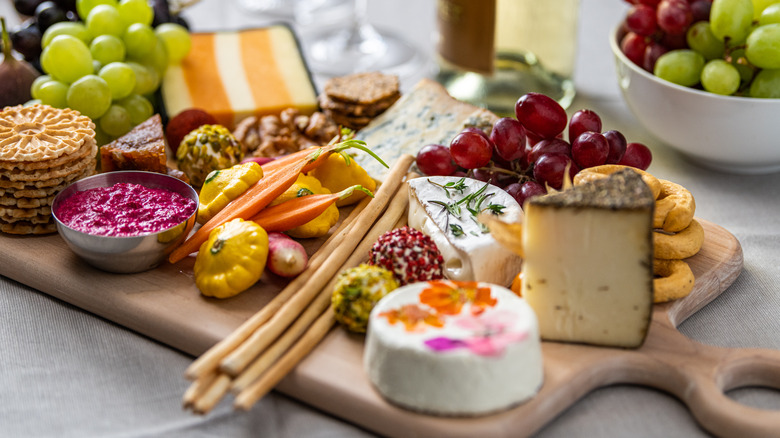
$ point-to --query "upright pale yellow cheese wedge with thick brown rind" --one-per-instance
(588, 268)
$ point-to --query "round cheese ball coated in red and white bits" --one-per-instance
(409, 254)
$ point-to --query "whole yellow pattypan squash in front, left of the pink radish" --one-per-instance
(232, 259)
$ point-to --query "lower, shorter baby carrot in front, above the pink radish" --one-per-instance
(298, 211)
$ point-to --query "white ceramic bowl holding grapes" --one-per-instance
(732, 134)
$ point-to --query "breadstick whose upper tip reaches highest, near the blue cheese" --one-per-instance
(239, 359)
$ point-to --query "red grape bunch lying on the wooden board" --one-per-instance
(527, 154)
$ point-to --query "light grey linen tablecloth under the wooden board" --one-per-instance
(68, 373)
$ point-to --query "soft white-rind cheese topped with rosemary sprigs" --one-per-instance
(446, 208)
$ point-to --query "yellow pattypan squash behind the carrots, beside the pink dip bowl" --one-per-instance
(223, 186)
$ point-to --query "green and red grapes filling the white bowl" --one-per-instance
(734, 49)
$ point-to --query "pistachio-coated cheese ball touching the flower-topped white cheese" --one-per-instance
(356, 293)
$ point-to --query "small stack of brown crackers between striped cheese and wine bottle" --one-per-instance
(353, 101)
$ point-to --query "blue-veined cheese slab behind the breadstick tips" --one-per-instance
(425, 115)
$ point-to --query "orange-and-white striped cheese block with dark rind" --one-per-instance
(234, 75)
